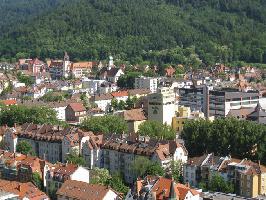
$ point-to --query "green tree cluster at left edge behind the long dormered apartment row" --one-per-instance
(20, 114)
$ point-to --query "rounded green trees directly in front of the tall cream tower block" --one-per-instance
(157, 130)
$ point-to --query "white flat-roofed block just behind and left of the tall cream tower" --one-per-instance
(146, 83)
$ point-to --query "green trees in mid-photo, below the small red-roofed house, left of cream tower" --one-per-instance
(105, 124)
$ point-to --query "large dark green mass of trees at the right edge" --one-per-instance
(229, 136)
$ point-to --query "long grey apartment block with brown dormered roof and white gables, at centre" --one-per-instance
(119, 156)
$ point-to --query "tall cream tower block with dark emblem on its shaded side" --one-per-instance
(162, 105)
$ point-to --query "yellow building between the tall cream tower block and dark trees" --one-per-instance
(183, 115)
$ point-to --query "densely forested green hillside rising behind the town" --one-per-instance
(217, 30)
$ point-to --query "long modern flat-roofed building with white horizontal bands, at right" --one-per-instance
(222, 101)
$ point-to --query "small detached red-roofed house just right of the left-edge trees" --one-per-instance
(75, 113)
